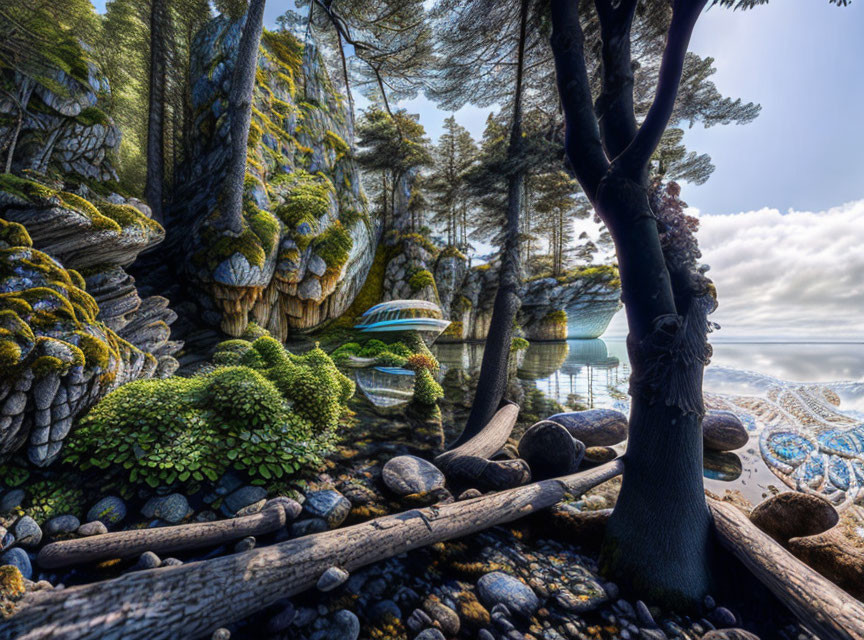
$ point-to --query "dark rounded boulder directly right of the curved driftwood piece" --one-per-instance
(550, 450)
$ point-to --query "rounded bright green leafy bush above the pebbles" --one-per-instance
(267, 415)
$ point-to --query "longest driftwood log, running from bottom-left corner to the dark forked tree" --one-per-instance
(194, 599)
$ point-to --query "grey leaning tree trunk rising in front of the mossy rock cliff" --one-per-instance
(240, 112)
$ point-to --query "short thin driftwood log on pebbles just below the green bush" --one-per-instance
(128, 544)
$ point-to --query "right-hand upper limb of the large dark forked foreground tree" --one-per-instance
(634, 160)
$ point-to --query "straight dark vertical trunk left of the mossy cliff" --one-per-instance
(153, 188)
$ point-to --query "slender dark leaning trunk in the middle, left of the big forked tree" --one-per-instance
(492, 381)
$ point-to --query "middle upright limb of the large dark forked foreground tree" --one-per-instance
(614, 106)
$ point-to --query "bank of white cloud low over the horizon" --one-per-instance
(782, 276)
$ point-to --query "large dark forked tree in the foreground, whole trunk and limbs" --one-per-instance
(658, 537)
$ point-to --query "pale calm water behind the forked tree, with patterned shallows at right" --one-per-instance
(775, 388)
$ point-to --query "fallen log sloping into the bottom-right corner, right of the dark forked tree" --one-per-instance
(822, 606)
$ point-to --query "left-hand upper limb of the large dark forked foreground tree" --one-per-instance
(582, 138)
